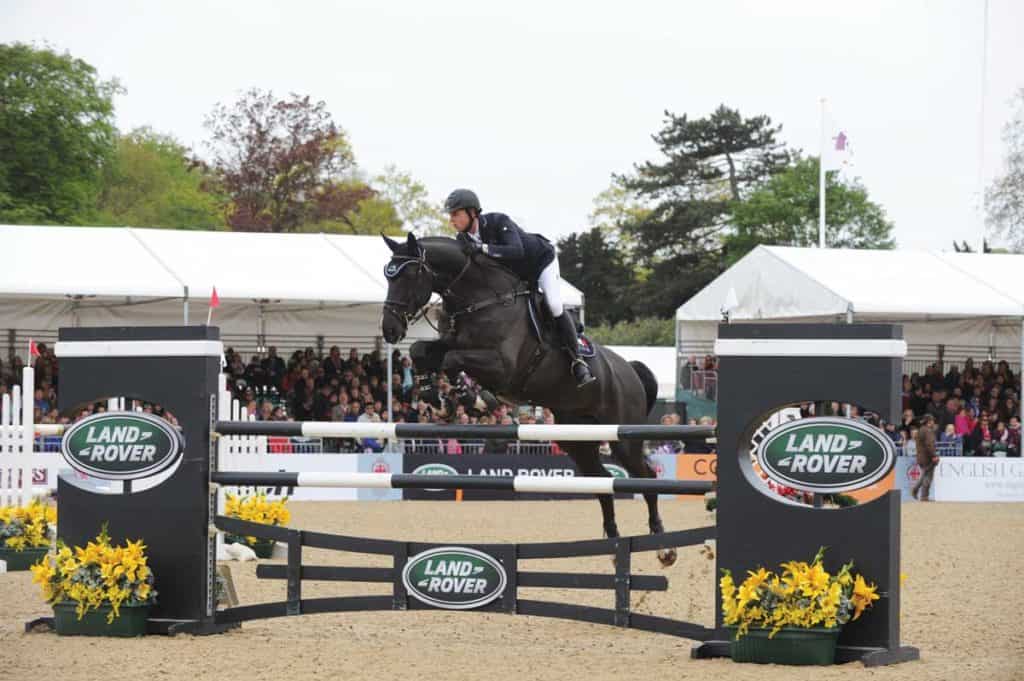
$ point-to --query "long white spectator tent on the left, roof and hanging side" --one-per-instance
(280, 287)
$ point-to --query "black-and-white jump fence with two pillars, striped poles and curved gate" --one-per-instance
(763, 368)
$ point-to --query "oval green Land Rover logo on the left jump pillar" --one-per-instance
(121, 446)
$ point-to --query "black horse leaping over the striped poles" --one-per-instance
(489, 332)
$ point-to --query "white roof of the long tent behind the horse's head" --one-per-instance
(125, 263)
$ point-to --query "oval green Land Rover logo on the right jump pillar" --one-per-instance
(827, 455)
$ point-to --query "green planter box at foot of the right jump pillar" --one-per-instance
(789, 647)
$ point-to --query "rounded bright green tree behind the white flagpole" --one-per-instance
(785, 212)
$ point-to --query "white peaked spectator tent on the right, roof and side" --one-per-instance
(952, 306)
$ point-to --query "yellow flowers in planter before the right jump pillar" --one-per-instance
(805, 595)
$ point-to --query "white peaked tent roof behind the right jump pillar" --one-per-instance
(776, 282)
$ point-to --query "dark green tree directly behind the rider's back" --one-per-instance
(598, 268)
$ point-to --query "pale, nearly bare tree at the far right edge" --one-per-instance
(1005, 198)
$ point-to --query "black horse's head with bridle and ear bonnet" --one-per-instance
(410, 283)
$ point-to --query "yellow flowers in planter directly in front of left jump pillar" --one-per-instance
(98, 575)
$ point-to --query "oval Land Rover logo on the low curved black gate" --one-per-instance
(454, 578)
